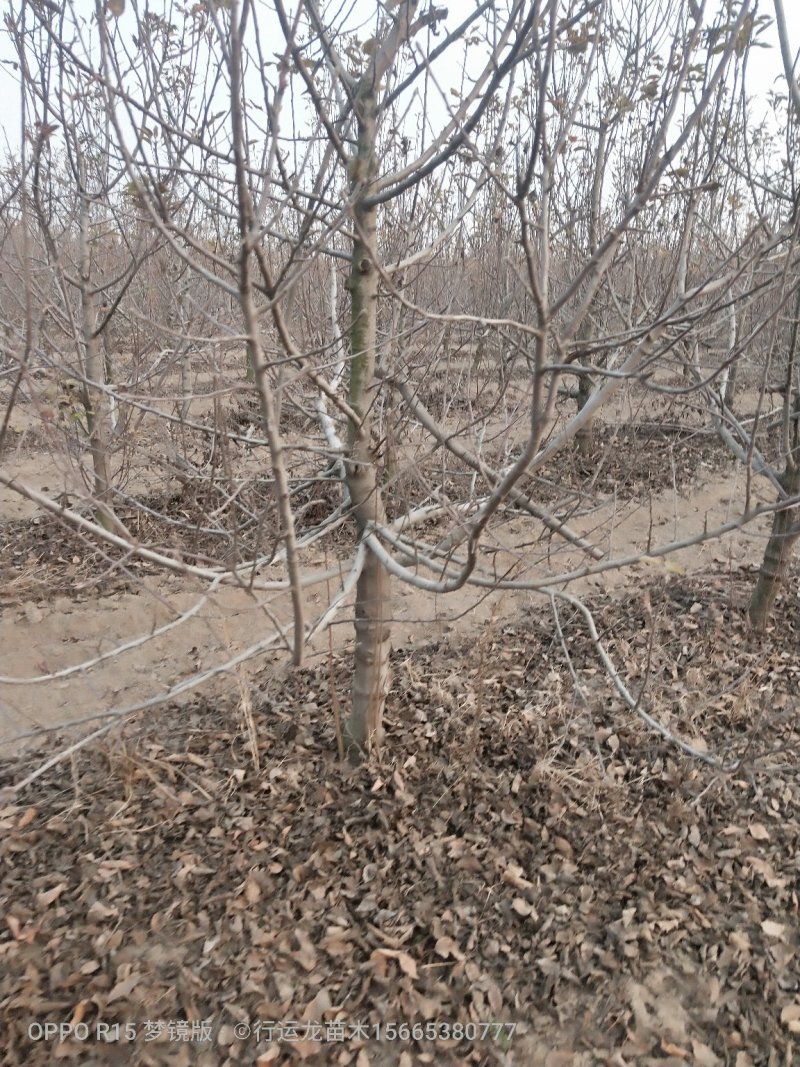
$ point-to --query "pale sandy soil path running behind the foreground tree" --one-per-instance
(42, 633)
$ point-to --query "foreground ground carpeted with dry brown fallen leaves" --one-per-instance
(525, 861)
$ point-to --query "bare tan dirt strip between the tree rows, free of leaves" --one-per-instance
(66, 603)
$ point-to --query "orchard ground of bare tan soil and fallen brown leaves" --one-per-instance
(527, 873)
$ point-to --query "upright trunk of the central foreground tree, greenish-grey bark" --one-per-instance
(374, 606)
